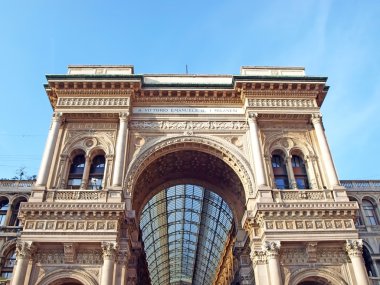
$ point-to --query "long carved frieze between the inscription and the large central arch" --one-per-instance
(189, 125)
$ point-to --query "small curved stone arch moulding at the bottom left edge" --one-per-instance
(78, 274)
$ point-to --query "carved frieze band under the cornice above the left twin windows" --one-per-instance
(70, 102)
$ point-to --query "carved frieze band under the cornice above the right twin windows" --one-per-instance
(282, 103)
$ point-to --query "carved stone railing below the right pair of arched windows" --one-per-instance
(296, 195)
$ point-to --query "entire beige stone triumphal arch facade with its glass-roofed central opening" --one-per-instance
(187, 179)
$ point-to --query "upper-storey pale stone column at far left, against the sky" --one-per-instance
(49, 150)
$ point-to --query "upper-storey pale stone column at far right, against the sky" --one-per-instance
(325, 151)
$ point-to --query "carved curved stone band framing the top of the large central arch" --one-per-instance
(217, 147)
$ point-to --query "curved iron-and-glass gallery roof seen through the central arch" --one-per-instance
(184, 229)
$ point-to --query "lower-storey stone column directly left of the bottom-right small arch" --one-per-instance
(272, 249)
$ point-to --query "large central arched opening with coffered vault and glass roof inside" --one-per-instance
(189, 203)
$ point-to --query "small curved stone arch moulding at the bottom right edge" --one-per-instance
(323, 275)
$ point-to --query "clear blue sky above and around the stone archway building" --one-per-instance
(339, 39)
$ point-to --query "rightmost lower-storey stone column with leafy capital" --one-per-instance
(354, 249)
